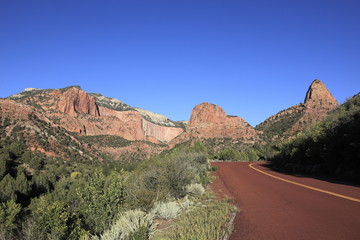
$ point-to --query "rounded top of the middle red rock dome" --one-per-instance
(205, 113)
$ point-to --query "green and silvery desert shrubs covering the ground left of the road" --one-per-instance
(77, 198)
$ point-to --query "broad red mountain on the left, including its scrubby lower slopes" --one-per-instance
(103, 126)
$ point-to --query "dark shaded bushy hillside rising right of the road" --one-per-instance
(331, 147)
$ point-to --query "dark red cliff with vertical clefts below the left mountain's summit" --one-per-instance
(75, 101)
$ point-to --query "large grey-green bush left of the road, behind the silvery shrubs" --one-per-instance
(165, 177)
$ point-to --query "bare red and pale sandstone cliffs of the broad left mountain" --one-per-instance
(94, 114)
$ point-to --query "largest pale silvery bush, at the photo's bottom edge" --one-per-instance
(132, 225)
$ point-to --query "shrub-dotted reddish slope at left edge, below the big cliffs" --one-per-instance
(25, 124)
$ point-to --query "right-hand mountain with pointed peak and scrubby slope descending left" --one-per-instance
(318, 102)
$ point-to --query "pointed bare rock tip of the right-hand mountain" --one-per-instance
(318, 93)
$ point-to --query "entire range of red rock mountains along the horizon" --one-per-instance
(96, 126)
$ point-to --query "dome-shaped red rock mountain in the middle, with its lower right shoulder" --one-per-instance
(210, 121)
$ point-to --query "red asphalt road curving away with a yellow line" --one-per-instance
(274, 209)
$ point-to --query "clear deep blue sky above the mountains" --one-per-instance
(252, 58)
